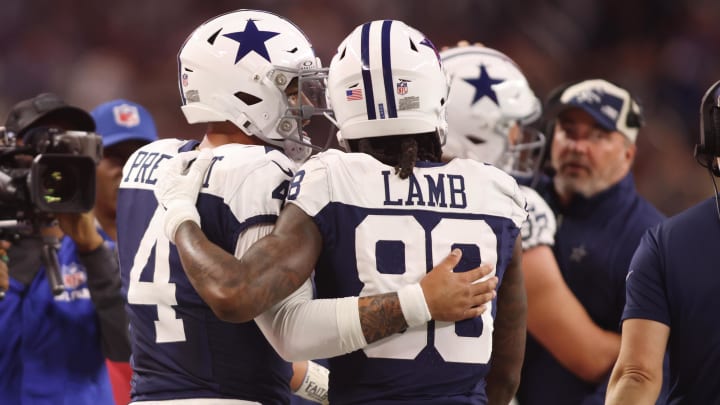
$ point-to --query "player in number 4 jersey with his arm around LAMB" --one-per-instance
(250, 75)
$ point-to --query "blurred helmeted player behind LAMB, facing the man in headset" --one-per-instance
(489, 109)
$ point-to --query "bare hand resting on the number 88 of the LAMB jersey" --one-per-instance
(451, 296)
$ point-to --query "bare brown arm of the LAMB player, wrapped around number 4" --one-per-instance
(238, 290)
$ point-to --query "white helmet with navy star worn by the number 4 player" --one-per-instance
(236, 67)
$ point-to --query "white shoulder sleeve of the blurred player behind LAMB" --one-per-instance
(540, 227)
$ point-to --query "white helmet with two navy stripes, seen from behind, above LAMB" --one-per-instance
(387, 79)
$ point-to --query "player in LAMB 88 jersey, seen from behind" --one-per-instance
(375, 220)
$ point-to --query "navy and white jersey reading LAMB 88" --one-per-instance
(380, 233)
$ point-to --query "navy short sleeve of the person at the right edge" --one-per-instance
(645, 282)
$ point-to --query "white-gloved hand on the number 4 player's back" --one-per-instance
(178, 183)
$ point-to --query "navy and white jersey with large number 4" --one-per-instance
(180, 349)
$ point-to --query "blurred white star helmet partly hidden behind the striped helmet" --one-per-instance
(488, 96)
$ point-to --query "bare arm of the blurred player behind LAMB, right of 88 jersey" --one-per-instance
(561, 324)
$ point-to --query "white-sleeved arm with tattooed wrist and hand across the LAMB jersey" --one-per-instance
(302, 328)
